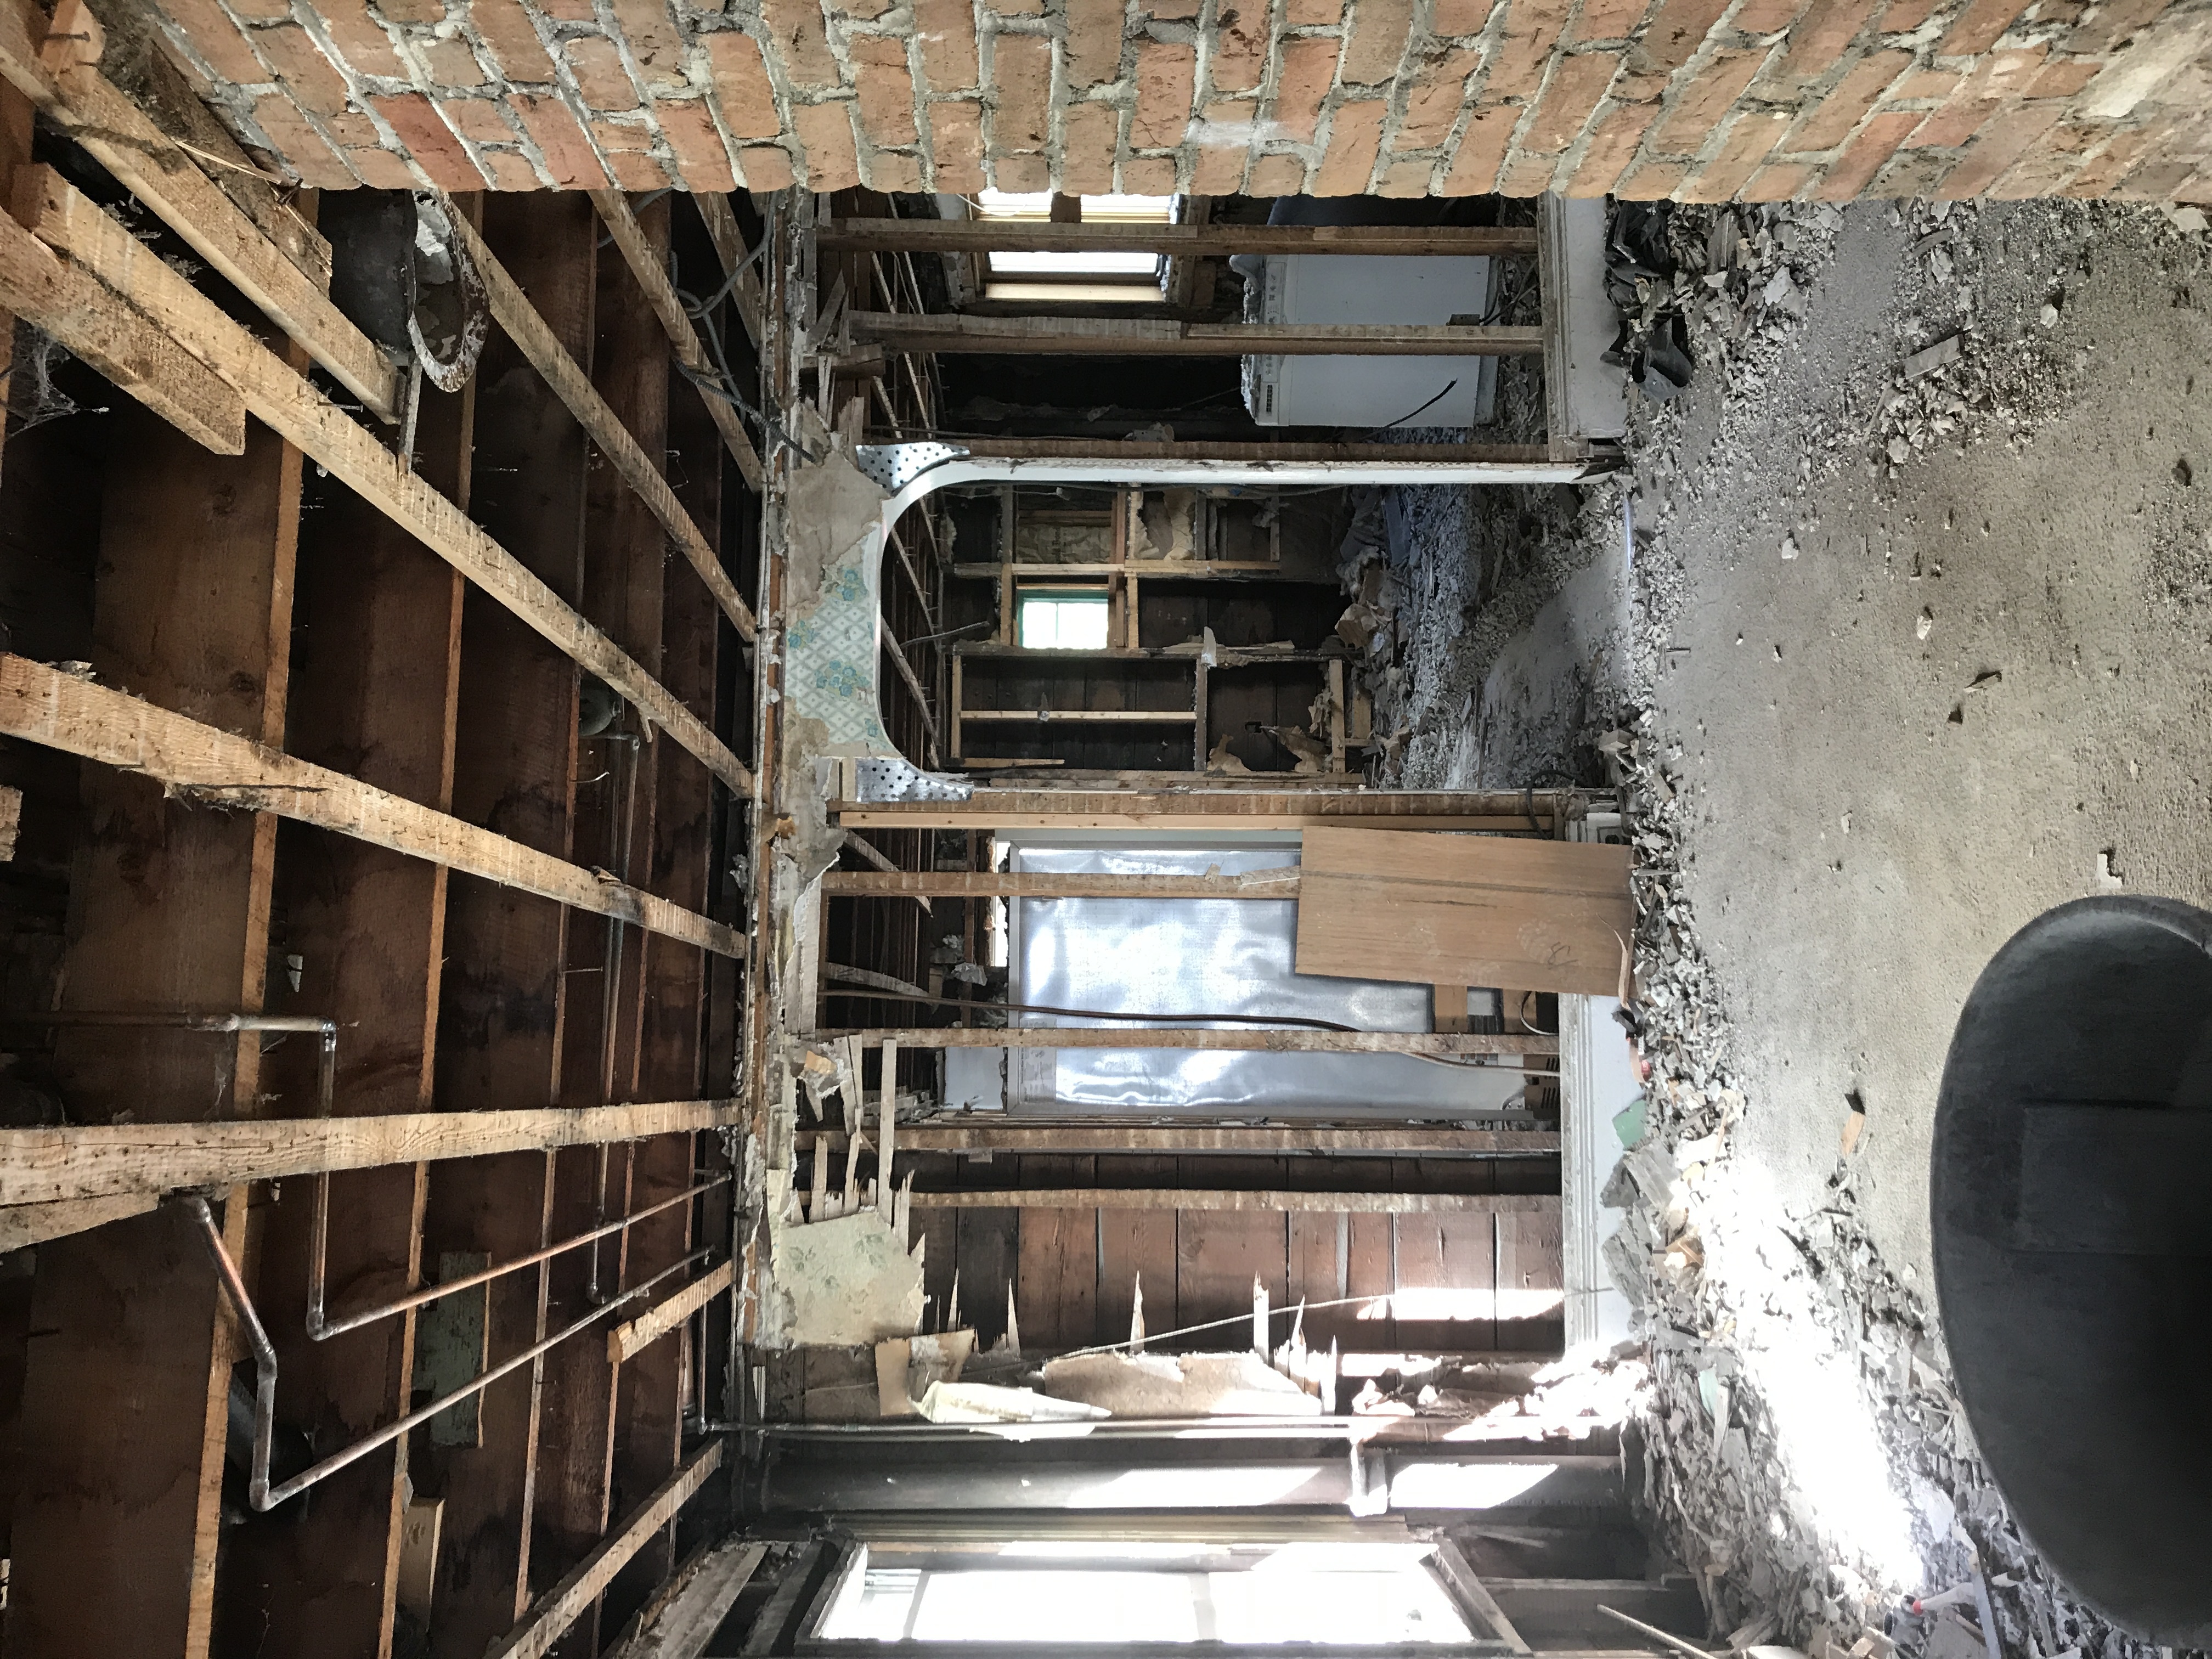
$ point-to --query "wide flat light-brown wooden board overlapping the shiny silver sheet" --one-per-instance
(1538, 915)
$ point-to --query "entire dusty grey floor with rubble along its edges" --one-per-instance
(1917, 662)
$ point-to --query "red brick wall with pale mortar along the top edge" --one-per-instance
(1645, 98)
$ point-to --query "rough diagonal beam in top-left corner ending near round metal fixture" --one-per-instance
(169, 182)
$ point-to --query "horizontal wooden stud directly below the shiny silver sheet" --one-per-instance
(1251, 1142)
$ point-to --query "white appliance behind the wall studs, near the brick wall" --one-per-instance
(1370, 390)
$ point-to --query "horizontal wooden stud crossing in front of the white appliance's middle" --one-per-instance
(1136, 337)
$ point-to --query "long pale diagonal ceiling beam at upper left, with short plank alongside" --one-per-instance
(304, 417)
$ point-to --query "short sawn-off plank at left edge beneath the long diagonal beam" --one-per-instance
(116, 340)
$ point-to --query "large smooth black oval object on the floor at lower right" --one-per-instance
(2072, 1204)
